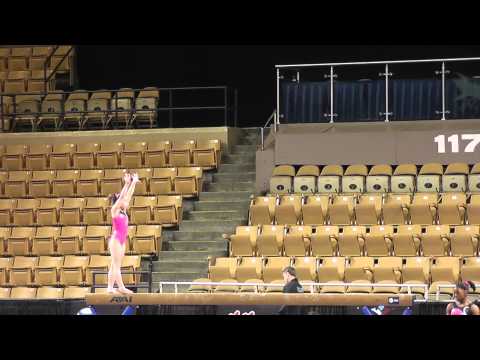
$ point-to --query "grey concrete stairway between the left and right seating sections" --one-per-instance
(222, 205)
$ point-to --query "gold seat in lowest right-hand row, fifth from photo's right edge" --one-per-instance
(359, 271)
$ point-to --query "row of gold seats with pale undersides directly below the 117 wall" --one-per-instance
(457, 177)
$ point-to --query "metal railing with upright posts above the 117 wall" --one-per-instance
(387, 74)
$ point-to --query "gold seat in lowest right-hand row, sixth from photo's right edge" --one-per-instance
(331, 271)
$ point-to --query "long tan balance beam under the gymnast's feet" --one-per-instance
(251, 299)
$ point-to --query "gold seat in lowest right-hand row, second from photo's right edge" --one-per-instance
(444, 271)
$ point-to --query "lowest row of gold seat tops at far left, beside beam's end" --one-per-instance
(44, 292)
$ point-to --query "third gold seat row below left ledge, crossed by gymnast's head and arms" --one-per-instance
(164, 210)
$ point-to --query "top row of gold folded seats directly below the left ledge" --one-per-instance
(205, 154)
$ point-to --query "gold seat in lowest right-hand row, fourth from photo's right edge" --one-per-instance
(387, 270)
